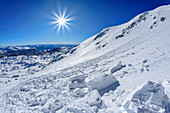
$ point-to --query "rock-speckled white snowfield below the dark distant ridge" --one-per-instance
(18, 67)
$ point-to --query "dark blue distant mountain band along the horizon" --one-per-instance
(38, 49)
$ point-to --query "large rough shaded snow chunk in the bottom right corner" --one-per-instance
(150, 98)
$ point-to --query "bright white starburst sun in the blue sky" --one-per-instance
(61, 20)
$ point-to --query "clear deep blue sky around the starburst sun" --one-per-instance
(27, 21)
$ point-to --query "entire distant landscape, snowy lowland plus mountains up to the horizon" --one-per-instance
(16, 63)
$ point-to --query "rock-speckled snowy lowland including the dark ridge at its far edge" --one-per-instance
(19, 65)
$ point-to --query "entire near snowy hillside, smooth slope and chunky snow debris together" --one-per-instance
(133, 58)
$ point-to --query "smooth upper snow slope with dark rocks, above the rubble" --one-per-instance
(148, 28)
